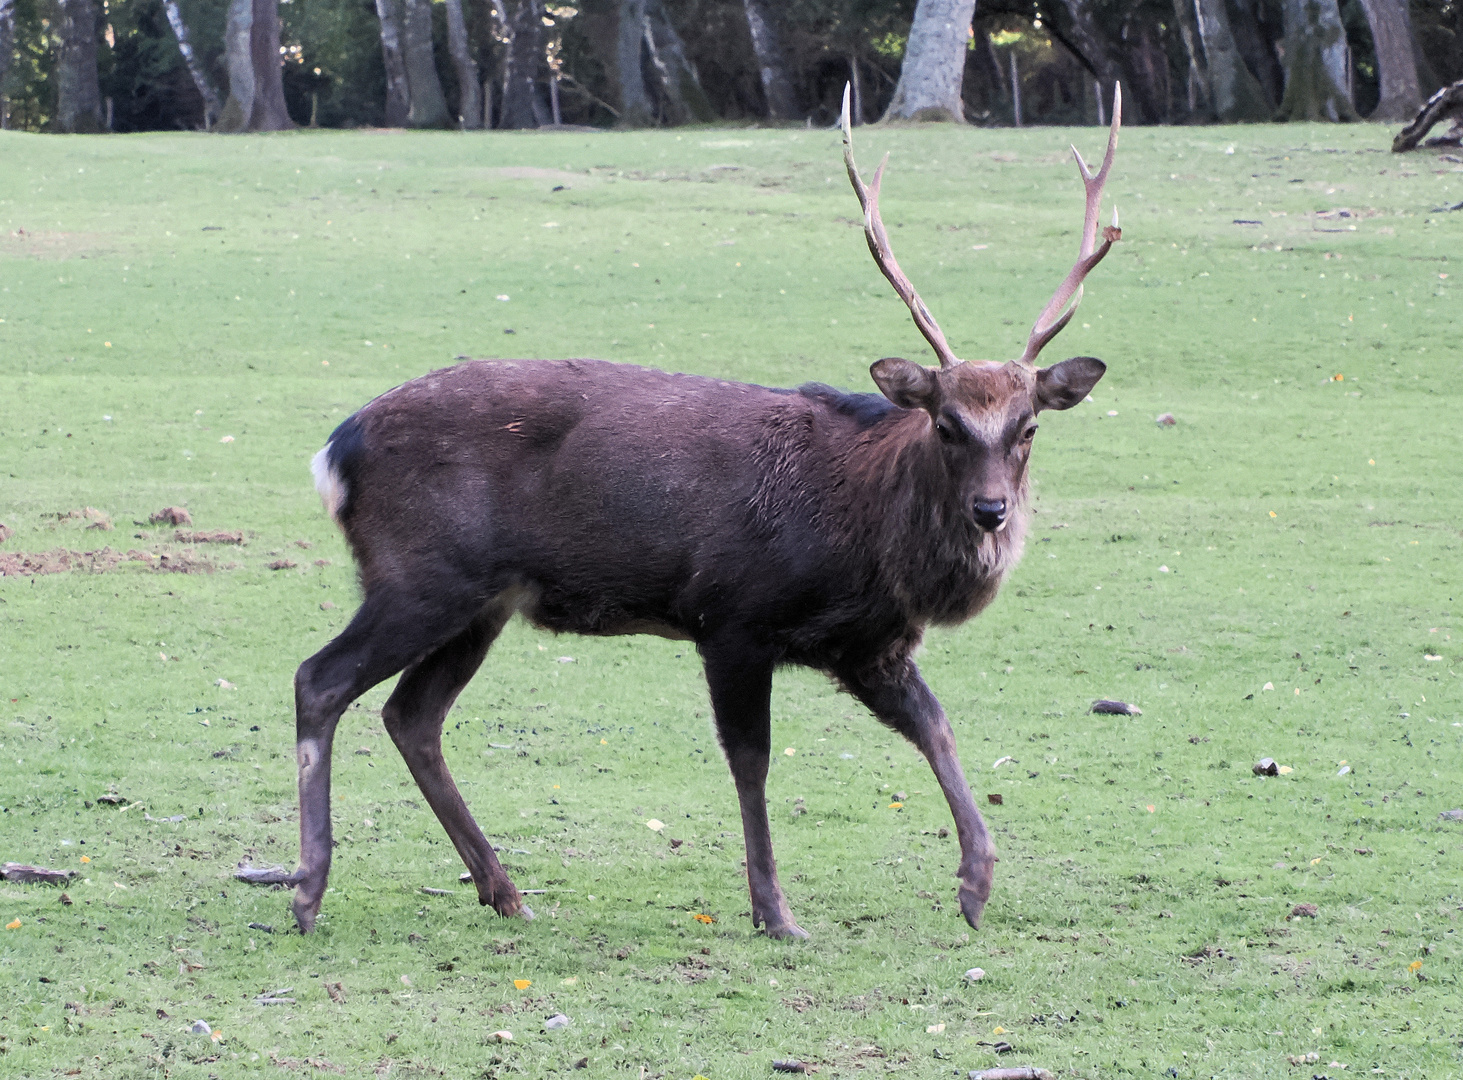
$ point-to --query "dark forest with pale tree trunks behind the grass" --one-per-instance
(267, 65)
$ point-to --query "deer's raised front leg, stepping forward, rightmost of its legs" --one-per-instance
(906, 705)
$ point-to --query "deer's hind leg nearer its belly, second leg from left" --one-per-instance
(415, 715)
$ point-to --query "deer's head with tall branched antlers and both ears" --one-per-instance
(984, 413)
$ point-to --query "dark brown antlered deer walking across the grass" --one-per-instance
(766, 526)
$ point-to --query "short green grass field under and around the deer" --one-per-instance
(184, 320)
